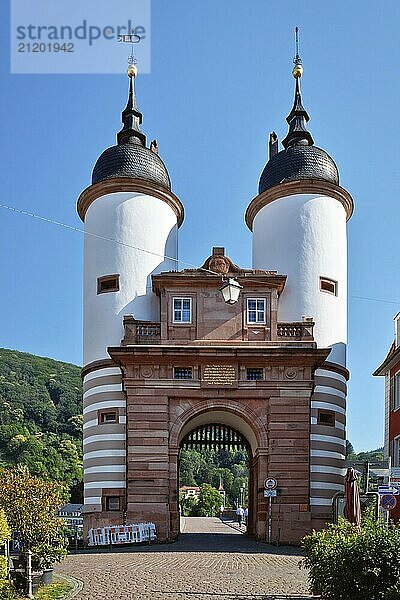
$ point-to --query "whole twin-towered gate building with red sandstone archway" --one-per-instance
(168, 362)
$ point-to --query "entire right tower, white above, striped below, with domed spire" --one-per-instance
(298, 222)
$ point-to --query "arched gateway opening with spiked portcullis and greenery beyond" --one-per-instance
(217, 447)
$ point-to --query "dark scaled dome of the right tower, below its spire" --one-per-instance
(296, 163)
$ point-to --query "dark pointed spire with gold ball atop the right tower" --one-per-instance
(298, 116)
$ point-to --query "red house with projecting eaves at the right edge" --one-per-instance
(390, 369)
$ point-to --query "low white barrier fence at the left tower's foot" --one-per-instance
(122, 534)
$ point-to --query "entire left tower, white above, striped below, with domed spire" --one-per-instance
(131, 220)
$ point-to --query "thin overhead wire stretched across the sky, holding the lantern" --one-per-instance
(176, 260)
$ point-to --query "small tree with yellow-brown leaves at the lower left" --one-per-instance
(30, 505)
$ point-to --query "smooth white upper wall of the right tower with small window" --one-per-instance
(304, 237)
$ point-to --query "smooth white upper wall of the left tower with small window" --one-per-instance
(136, 220)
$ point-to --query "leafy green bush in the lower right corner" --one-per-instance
(347, 564)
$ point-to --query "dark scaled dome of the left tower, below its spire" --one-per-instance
(131, 160)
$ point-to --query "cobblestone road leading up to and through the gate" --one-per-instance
(211, 561)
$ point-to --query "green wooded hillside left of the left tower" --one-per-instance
(41, 415)
